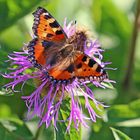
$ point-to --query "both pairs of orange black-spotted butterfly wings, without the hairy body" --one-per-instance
(49, 31)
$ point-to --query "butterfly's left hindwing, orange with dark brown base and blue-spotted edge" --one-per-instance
(42, 53)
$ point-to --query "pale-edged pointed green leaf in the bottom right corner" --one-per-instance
(118, 135)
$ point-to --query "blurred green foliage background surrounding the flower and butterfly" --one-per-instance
(113, 23)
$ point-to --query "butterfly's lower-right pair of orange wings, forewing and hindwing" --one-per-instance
(83, 67)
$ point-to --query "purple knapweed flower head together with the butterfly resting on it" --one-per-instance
(63, 62)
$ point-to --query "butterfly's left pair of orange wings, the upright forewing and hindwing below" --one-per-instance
(48, 32)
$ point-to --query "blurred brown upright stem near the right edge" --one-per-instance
(130, 65)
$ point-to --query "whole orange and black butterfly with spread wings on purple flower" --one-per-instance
(62, 57)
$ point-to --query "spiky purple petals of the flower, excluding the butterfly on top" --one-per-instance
(45, 102)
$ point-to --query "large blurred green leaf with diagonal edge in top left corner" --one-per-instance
(11, 11)
